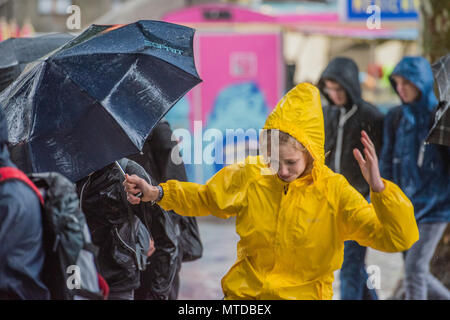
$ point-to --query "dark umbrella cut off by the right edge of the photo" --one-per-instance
(440, 132)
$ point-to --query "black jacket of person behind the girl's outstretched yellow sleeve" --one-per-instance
(168, 229)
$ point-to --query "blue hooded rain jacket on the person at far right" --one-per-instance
(420, 170)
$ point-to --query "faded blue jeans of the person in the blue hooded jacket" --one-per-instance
(419, 283)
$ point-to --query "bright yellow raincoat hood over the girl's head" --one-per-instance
(299, 113)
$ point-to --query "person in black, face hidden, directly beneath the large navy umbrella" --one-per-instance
(118, 229)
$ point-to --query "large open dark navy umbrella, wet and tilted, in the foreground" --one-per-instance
(96, 99)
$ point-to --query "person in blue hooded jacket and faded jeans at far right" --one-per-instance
(421, 170)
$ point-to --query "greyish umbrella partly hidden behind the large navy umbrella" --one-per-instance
(15, 53)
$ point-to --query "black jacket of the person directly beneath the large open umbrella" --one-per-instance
(106, 208)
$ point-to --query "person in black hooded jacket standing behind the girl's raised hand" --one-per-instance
(345, 116)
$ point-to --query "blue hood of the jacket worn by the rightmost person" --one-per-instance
(418, 71)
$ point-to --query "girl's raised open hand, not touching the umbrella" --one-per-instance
(369, 164)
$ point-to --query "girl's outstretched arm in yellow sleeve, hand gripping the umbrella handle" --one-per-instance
(223, 195)
